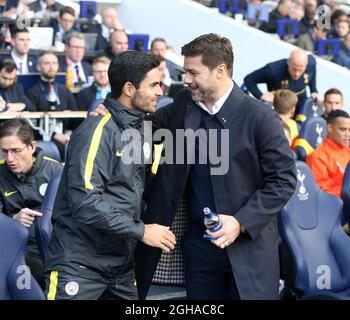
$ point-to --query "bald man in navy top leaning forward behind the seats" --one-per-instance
(295, 73)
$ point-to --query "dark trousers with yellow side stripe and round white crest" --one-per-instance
(65, 286)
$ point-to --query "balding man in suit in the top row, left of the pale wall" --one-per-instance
(110, 23)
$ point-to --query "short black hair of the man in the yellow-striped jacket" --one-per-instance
(130, 66)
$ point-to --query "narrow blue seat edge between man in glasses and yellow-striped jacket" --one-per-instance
(43, 225)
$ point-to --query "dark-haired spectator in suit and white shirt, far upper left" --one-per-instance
(20, 42)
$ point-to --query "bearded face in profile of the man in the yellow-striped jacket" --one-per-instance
(146, 96)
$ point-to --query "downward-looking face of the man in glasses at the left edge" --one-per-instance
(18, 156)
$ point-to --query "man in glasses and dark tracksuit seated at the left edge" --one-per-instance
(24, 175)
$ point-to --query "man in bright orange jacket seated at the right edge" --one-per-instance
(329, 160)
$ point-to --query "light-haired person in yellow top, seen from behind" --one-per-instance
(284, 103)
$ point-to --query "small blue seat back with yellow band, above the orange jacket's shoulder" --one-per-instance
(311, 135)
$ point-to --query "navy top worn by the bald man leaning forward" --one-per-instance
(276, 76)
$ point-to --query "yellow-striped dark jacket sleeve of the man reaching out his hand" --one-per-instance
(87, 176)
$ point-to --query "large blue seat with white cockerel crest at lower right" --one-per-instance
(310, 226)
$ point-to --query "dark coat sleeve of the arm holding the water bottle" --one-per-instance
(279, 177)
